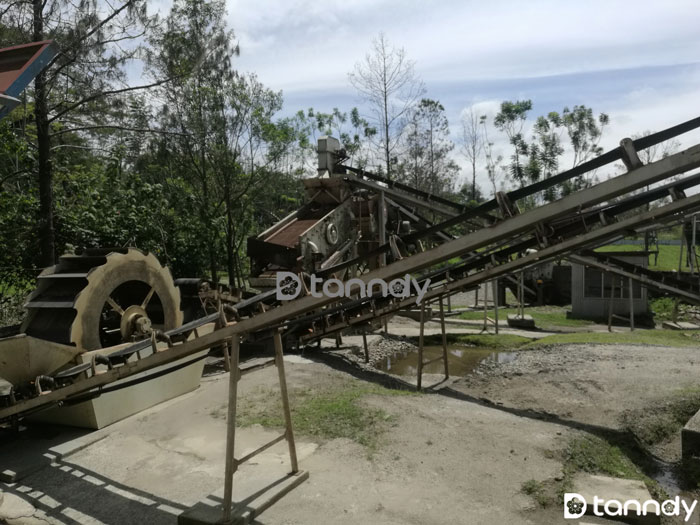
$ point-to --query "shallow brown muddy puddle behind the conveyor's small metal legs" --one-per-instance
(462, 360)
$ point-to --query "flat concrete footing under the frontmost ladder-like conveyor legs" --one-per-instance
(251, 500)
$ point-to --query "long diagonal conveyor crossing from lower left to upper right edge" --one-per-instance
(562, 221)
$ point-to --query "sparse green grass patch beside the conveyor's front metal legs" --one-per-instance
(329, 414)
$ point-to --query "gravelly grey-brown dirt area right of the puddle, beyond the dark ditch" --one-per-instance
(589, 385)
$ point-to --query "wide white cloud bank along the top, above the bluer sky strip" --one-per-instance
(298, 43)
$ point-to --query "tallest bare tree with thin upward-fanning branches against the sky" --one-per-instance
(387, 81)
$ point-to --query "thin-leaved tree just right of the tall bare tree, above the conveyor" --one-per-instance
(428, 165)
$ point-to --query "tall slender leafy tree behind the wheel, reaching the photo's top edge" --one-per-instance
(194, 38)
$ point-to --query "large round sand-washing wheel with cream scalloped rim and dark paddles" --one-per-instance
(102, 298)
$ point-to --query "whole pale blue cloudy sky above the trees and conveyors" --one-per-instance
(638, 62)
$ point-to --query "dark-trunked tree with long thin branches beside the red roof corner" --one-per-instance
(77, 93)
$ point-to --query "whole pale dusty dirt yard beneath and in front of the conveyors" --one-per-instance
(460, 454)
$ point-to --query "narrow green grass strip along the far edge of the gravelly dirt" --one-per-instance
(676, 338)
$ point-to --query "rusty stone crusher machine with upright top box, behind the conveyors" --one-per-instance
(345, 218)
